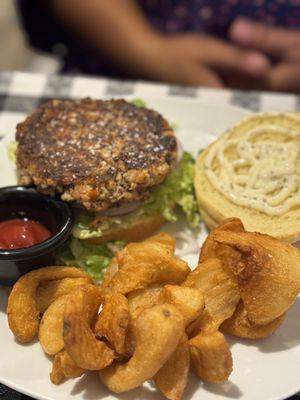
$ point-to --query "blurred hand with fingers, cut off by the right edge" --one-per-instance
(280, 44)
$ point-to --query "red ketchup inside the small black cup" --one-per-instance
(19, 233)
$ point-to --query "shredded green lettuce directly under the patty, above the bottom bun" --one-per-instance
(177, 191)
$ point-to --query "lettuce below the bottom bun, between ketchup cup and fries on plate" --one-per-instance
(91, 257)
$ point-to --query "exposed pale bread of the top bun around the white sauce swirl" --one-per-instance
(215, 207)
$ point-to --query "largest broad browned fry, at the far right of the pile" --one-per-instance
(268, 273)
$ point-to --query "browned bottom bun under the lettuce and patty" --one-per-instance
(143, 228)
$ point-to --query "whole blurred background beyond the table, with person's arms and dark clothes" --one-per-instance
(214, 43)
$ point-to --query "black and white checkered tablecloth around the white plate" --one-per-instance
(21, 93)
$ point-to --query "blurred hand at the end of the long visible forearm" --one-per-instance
(194, 59)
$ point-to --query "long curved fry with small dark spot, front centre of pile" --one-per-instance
(157, 332)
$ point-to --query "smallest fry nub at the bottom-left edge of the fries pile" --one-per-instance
(64, 367)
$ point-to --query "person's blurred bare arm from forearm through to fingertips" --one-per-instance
(120, 31)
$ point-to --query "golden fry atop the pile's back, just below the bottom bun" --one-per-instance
(143, 264)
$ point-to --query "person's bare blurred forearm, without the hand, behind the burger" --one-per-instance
(117, 28)
